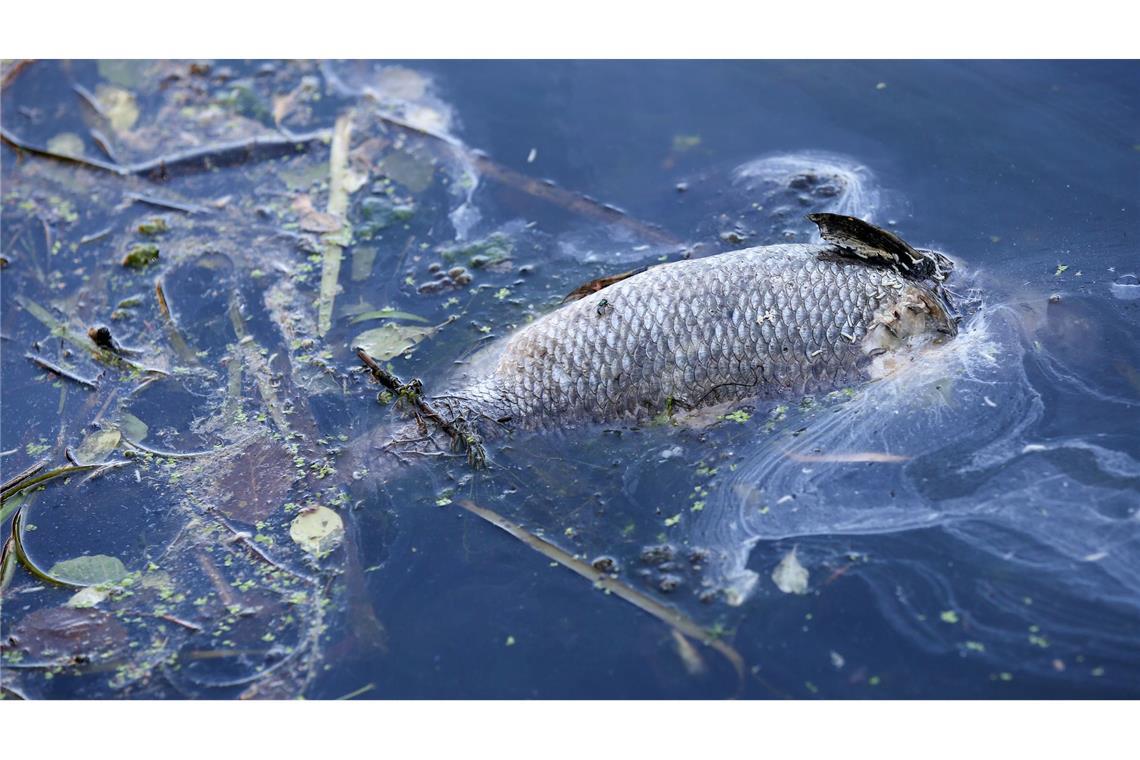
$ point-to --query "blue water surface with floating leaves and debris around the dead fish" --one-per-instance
(970, 529)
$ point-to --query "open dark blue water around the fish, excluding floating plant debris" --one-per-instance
(1019, 577)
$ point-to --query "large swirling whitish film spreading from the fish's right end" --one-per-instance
(1044, 526)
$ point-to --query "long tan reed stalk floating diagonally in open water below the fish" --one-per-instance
(666, 615)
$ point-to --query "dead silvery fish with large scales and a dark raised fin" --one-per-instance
(770, 322)
